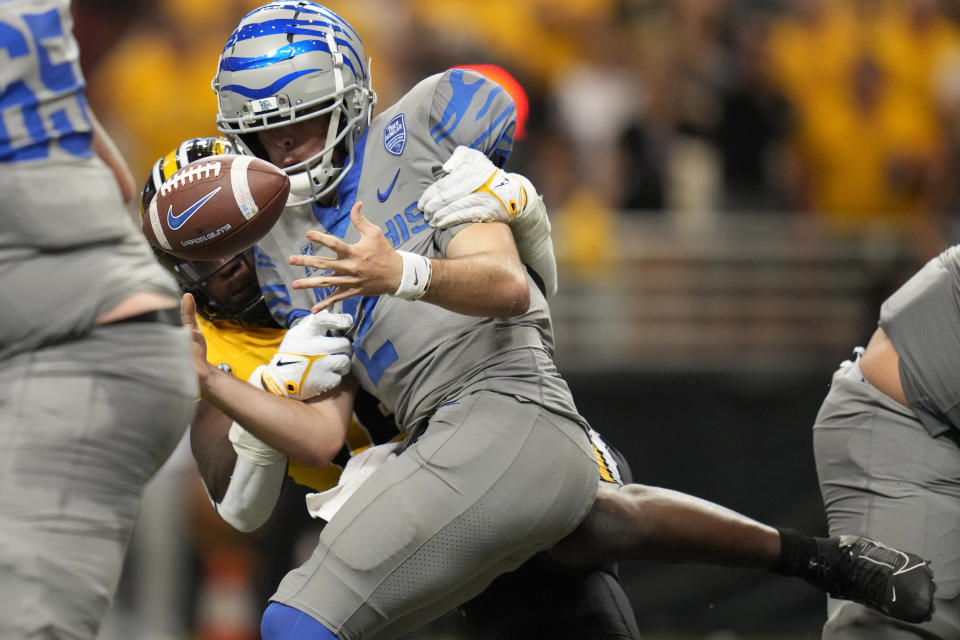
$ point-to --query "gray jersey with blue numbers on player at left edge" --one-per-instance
(68, 250)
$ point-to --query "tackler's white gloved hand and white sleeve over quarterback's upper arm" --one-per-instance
(475, 190)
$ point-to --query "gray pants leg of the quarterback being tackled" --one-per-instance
(489, 483)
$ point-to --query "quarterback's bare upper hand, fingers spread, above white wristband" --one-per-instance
(369, 267)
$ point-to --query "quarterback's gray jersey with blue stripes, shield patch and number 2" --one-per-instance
(412, 355)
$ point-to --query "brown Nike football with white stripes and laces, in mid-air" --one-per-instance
(216, 207)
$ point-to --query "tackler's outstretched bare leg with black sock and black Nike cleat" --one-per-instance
(653, 523)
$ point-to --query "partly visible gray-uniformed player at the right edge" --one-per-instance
(887, 446)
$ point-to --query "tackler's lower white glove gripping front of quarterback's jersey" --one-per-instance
(308, 361)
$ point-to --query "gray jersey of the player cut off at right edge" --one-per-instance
(921, 318)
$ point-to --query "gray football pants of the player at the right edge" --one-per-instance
(883, 476)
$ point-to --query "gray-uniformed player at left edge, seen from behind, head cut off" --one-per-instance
(96, 385)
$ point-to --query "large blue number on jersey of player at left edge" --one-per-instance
(59, 78)
